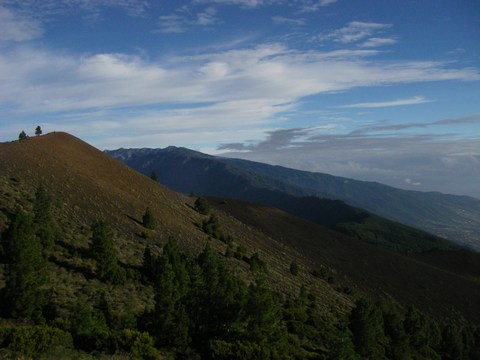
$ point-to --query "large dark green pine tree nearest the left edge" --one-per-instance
(26, 273)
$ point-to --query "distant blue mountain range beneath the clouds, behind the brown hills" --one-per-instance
(456, 218)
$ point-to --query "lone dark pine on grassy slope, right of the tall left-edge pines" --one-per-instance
(104, 253)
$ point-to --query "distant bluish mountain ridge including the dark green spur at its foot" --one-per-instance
(315, 197)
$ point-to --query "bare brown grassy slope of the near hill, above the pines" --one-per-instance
(89, 185)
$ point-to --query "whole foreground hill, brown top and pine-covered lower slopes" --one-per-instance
(190, 304)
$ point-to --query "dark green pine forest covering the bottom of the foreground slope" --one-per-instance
(194, 306)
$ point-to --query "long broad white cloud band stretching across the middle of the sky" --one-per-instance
(35, 80)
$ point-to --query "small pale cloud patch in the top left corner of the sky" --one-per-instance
(16, 28)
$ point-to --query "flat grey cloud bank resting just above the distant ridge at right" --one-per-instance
(429, 161)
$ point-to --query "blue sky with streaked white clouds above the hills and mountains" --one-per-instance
(377, 90)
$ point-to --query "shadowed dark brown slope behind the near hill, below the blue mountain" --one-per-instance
(426, 285)
